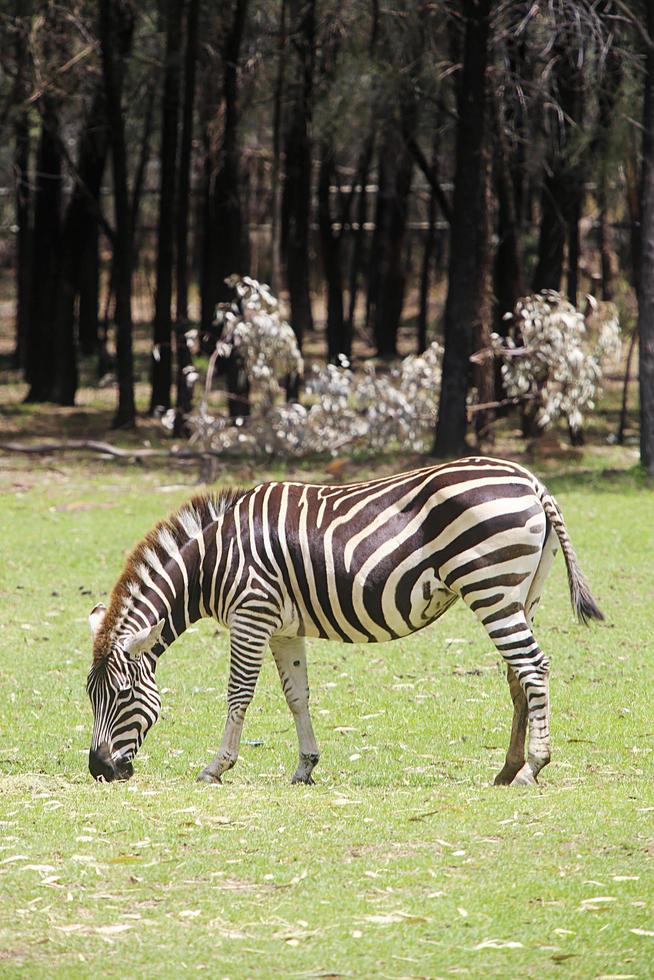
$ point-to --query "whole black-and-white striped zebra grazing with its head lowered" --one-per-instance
(365, 562)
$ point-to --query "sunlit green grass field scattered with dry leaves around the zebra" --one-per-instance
(403, 860)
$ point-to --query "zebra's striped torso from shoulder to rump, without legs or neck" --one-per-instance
(376, 560)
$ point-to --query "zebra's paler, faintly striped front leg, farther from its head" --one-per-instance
(291, 660)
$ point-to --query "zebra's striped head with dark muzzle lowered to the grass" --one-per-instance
(124, 697)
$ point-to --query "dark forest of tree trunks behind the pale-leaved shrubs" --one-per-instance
(398, 173)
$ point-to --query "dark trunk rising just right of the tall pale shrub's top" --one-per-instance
(296, 199)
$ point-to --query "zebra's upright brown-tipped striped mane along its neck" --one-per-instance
(174, 531)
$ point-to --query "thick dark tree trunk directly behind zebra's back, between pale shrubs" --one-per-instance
(462, 308)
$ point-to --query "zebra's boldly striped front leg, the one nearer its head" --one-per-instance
(245, 659)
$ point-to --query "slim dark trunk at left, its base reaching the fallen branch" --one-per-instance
(116, 29)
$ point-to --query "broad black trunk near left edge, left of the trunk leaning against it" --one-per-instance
(45, 255)
